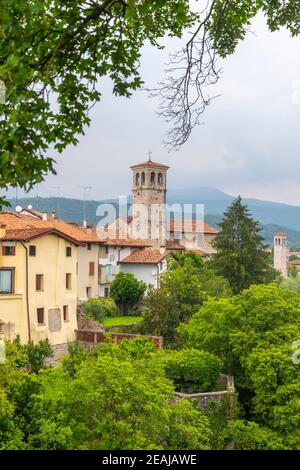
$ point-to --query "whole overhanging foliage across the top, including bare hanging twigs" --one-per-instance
(53, 53)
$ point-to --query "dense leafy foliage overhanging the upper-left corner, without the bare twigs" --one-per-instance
(53, 51)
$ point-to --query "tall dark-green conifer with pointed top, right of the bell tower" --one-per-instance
(241, 257)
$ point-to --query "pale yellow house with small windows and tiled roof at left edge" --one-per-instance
(38, 285)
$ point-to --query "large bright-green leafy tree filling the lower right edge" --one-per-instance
(253, 333)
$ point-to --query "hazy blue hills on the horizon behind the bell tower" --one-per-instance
(272, 215)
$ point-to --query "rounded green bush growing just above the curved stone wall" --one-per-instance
(191, 370)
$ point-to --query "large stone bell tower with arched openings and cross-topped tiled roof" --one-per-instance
(149, 188)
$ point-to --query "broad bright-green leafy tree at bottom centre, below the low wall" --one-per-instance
(117, 399)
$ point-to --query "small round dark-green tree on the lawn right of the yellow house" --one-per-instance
(126, 290)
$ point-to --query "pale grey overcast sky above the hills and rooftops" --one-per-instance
(250, 144)
